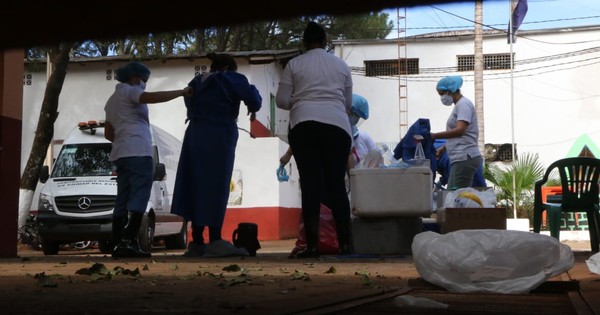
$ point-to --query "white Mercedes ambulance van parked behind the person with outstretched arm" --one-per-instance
(77, 197)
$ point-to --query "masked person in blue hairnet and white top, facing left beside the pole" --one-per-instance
(462, 134)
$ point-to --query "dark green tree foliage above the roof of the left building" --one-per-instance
(258, 35)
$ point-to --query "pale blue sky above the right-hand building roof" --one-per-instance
(541, 14)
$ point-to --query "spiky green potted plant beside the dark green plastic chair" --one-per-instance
(525, 171)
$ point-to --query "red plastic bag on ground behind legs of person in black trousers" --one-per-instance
(328, 242)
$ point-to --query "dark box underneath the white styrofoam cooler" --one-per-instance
(384, 236)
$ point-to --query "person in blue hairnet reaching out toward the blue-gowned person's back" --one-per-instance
(128, 128)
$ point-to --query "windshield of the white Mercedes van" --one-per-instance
(84, 160)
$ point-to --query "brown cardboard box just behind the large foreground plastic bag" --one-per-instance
(454, 219)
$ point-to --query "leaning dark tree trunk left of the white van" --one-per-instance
(59, 57)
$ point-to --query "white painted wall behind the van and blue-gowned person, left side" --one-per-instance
(86, 90)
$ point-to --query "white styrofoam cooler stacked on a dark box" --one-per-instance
(386, 192)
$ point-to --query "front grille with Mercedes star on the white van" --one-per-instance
(85, 203)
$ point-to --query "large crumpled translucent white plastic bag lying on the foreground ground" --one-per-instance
(489, 261)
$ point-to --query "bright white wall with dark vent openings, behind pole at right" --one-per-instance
(555, 102)
